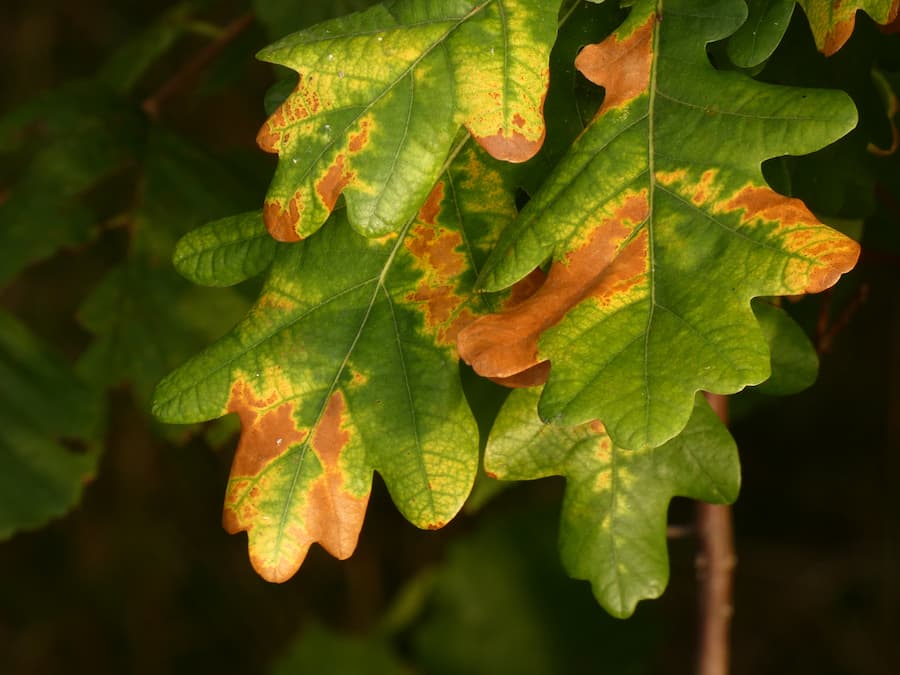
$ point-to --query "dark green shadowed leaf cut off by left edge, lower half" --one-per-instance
(43, 405)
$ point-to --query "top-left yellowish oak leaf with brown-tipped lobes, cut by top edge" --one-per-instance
(381, 95)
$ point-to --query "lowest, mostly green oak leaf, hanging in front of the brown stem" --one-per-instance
(613, 526)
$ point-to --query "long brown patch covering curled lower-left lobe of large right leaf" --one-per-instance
(505, 344)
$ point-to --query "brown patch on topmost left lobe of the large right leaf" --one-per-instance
(621, 66)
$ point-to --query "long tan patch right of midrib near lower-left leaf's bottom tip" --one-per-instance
(333, 517)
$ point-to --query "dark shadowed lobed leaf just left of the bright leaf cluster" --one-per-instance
(145, 319)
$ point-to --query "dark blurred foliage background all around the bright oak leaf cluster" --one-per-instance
(125, 125)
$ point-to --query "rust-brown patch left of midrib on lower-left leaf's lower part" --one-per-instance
(266, 432)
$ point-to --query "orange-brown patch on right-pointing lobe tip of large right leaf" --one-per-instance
(827, 254)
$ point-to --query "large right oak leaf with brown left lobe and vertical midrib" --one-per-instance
(661, 229)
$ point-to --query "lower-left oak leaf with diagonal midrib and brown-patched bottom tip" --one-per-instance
(346, 365)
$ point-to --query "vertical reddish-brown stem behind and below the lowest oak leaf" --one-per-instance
(716, 561)
